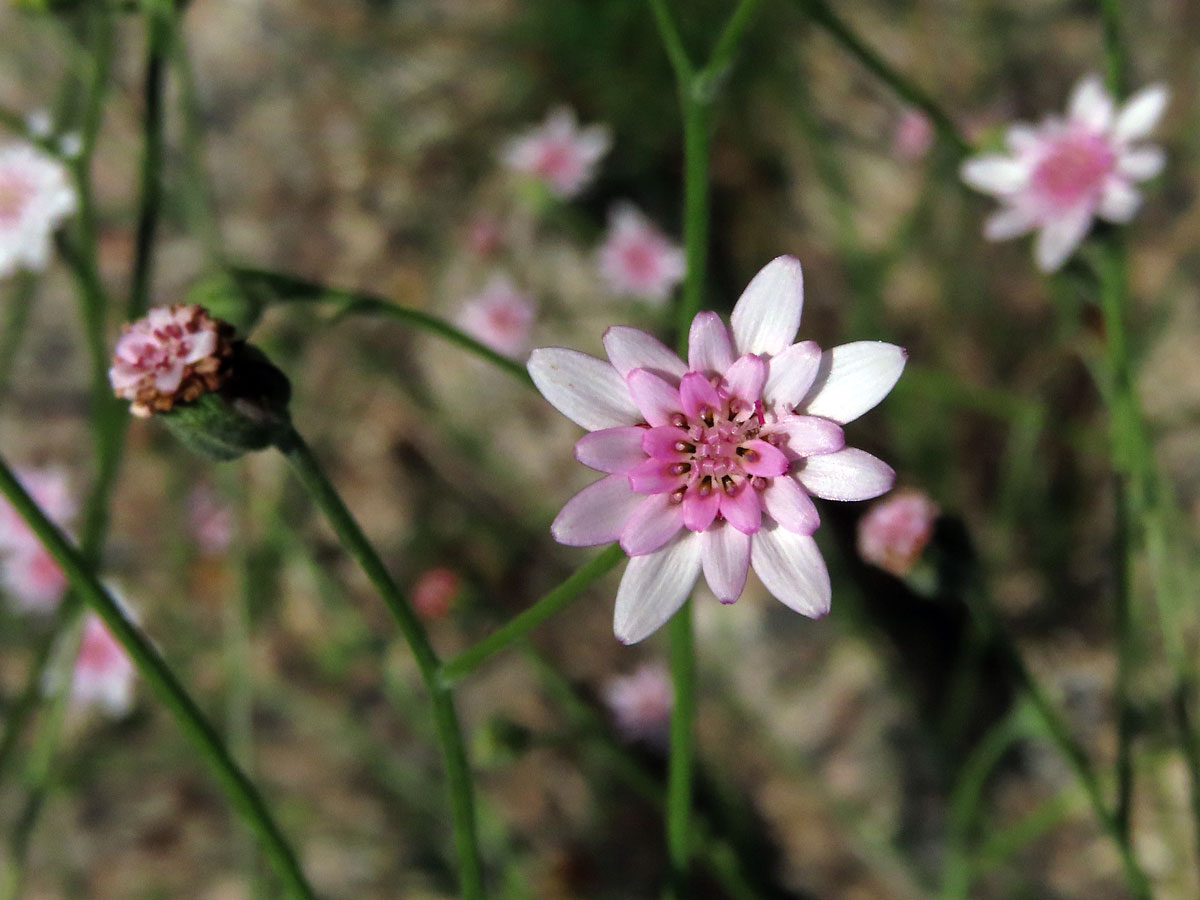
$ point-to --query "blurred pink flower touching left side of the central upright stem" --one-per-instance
(637, 259)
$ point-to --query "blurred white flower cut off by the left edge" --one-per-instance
(35, 197)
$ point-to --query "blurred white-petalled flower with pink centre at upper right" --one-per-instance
(1060, 176)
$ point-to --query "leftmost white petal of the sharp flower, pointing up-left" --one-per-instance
(586, 391)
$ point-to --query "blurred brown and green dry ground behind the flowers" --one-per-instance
(352, 143)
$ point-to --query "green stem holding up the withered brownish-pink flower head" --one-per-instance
(463, 805)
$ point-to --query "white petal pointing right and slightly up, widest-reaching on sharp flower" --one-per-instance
(854, 379)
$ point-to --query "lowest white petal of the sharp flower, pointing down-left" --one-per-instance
(656, 586)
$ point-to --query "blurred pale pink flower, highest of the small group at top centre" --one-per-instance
(560, 153)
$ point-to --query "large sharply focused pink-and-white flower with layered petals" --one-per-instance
(711, 464)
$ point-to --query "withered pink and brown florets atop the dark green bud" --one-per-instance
(173, 356)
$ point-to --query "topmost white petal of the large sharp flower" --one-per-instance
(769, 314)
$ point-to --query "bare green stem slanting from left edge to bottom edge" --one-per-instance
(241, 791)
